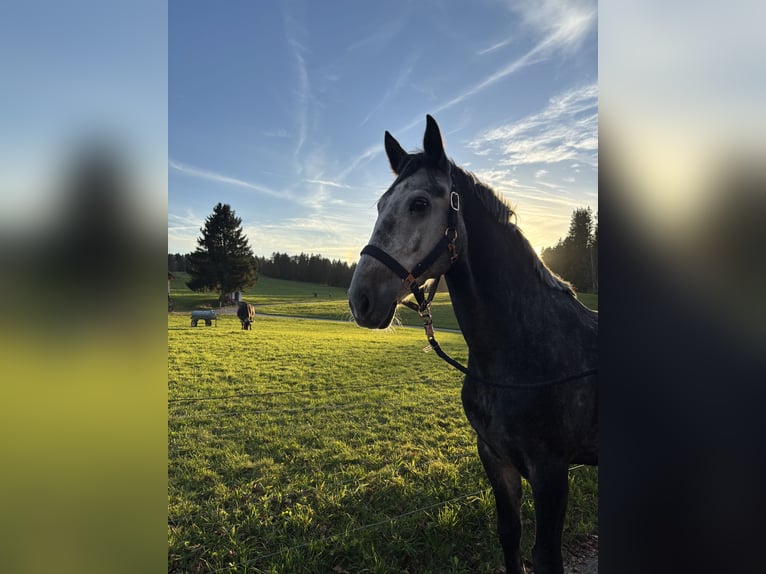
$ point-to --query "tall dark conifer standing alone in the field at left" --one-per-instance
(223, 260)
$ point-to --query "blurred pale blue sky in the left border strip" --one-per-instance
(72, 74)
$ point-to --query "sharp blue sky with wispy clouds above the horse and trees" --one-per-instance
(279, 109)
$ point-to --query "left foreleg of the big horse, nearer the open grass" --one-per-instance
(506, 485)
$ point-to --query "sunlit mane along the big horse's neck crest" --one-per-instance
(501, 211)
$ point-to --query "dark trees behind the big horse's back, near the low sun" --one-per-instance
(575, 258)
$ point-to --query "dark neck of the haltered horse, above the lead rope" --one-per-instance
(511, 316)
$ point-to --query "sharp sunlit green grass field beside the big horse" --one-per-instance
(315, 446)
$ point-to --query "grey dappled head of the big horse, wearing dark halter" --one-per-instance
(414, 234)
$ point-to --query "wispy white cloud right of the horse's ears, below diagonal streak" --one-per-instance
(567, 129)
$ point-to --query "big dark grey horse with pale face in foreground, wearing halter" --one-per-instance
(530, 391)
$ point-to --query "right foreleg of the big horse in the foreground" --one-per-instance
(550, 490)
